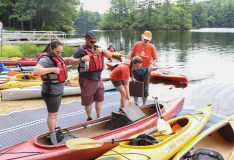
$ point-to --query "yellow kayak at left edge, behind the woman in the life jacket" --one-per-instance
(20, 80)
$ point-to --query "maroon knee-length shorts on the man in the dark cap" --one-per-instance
(91, 91)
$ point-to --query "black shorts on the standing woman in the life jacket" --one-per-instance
(52, 103)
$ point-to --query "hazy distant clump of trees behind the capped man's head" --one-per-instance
(87, 19)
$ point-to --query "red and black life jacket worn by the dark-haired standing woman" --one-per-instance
(53, 78)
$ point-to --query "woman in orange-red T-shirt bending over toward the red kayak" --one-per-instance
(120, 78)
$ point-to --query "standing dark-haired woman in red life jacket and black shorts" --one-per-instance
(52, 69)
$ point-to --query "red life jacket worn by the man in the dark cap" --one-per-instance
(96, 62)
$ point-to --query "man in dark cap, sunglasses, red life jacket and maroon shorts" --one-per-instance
(91, 63)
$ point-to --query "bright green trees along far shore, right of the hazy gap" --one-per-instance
(183, 14)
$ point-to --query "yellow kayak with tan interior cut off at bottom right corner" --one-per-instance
(218, 138)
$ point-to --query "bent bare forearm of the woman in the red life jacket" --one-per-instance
(40, 70)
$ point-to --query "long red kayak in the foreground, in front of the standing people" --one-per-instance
(41, 147)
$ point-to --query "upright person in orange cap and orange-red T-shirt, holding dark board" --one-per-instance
(146, 51)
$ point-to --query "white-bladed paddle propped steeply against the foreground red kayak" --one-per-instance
(162, 126)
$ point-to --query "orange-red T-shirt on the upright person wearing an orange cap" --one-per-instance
(149, 52)
